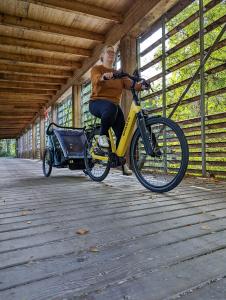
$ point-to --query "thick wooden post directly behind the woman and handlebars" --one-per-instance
(128, 53)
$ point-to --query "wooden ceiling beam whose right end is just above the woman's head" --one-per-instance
(60, 30)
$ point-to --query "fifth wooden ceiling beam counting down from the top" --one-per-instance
(34, 71)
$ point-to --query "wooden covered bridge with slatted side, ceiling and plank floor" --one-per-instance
(67, 237)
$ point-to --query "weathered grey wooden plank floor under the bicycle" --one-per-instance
(140, 245)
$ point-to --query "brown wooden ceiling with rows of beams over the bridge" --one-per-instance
(47, 45)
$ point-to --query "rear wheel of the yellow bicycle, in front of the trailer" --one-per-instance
(96, 169)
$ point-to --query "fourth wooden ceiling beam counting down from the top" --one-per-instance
(17, 59)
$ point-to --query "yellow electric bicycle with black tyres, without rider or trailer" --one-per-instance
(158, 150)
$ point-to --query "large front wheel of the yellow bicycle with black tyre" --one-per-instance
(165, 169)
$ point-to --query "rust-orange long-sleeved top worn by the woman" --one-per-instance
(108, 89)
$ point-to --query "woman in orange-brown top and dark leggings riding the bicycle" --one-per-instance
(105, 99)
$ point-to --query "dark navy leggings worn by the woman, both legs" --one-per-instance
(110, 114)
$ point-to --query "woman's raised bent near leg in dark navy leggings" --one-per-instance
(106, 111)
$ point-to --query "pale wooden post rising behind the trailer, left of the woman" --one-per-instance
(76, 106)
